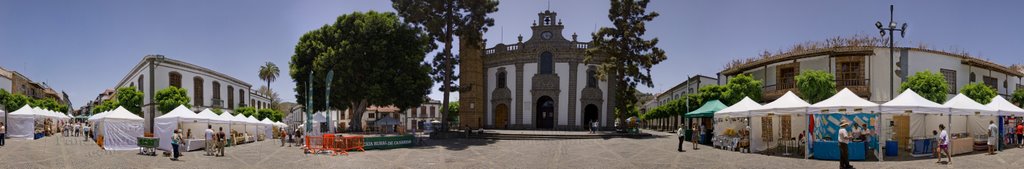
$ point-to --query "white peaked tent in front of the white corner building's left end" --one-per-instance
(180, 118)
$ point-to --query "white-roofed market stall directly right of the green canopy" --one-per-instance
(742, 111)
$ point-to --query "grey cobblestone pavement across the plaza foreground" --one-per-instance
(615, 153)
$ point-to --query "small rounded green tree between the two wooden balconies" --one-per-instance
(816, 86)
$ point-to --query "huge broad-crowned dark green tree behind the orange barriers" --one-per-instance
(376, 61)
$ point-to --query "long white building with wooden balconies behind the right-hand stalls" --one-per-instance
(867, 71)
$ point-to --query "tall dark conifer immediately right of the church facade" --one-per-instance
(629, 57)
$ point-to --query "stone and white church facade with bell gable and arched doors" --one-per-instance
(541, 83)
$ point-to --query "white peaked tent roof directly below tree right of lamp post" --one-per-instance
(910, 101)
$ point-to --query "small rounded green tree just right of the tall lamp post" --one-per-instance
(929, 86)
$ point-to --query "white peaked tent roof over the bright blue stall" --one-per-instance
(843, 100)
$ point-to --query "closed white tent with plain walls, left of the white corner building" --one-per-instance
(120, 130)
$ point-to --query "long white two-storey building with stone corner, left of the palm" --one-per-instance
(206, 89)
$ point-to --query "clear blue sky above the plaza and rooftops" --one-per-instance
(83, 48)
